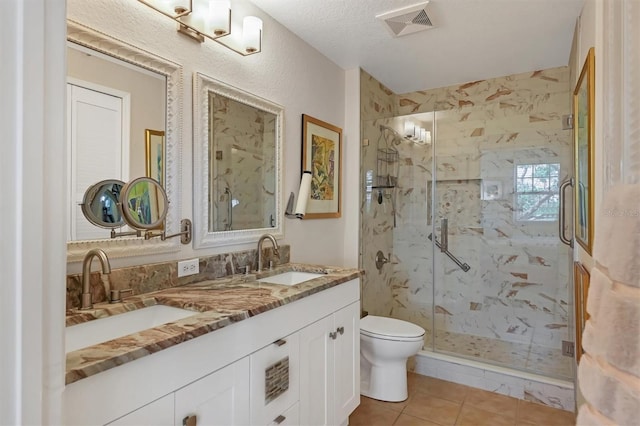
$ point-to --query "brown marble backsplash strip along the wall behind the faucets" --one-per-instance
(147, 278)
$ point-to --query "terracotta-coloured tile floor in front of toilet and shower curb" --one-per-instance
(434, 402)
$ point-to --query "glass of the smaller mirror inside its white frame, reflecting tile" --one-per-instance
(242, 165)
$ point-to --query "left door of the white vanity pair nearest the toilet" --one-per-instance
(316, 369)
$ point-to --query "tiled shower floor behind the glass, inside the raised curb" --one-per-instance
(529, 357)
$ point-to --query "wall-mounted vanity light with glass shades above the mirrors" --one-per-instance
(200, 19)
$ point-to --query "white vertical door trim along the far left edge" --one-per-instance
(32, 247)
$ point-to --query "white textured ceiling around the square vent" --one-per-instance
(471, 39)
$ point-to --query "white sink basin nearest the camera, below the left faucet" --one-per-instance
(101, 330)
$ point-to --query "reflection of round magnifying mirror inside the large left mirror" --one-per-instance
(100, 204)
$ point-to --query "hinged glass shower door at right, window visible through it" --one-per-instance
(501, 275)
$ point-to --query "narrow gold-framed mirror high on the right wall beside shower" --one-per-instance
(583, 111)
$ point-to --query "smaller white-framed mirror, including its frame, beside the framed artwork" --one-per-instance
(238, 157)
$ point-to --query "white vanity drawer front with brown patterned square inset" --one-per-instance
(274, 379)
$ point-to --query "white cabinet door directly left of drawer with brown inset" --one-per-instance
(221, 398)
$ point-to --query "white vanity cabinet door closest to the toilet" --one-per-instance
(347, 362)
